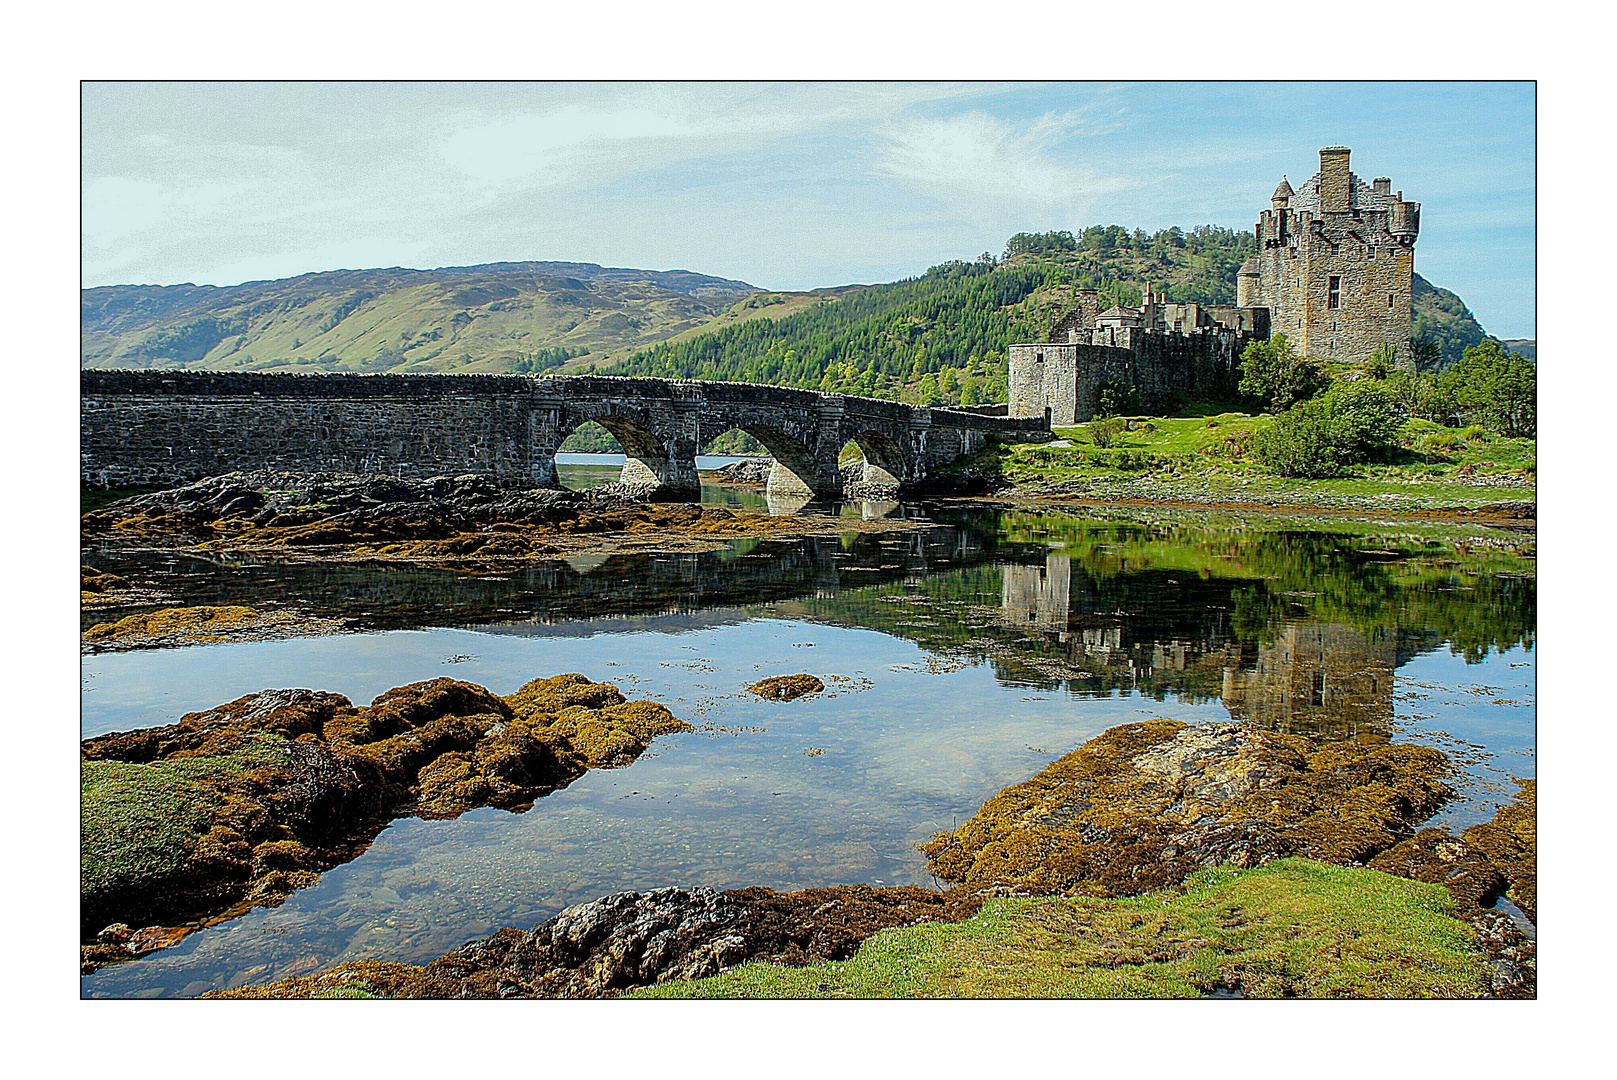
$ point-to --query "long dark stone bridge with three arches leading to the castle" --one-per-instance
(146, 429)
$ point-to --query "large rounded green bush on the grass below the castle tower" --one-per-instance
(1349, 426)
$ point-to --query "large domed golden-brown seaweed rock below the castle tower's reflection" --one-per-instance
(1142, 806)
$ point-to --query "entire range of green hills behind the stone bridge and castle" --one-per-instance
(935, 339)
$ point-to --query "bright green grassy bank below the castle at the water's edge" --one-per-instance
(1210, 460)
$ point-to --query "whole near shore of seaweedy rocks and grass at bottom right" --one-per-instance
(1146, 809)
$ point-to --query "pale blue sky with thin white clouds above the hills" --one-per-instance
(787, 187)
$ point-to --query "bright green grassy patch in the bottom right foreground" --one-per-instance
(1293, 929)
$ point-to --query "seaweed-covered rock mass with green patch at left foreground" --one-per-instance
(250, 801)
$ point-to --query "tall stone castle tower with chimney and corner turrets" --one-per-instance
(1336, 264)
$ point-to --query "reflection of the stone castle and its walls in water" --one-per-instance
(1315, 678)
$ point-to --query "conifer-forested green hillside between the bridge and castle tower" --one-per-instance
(942, 337)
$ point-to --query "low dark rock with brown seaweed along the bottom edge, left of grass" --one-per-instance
(636, 940)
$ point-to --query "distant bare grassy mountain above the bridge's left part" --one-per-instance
(492, 318)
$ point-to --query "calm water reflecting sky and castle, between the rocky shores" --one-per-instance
(960, 659)
